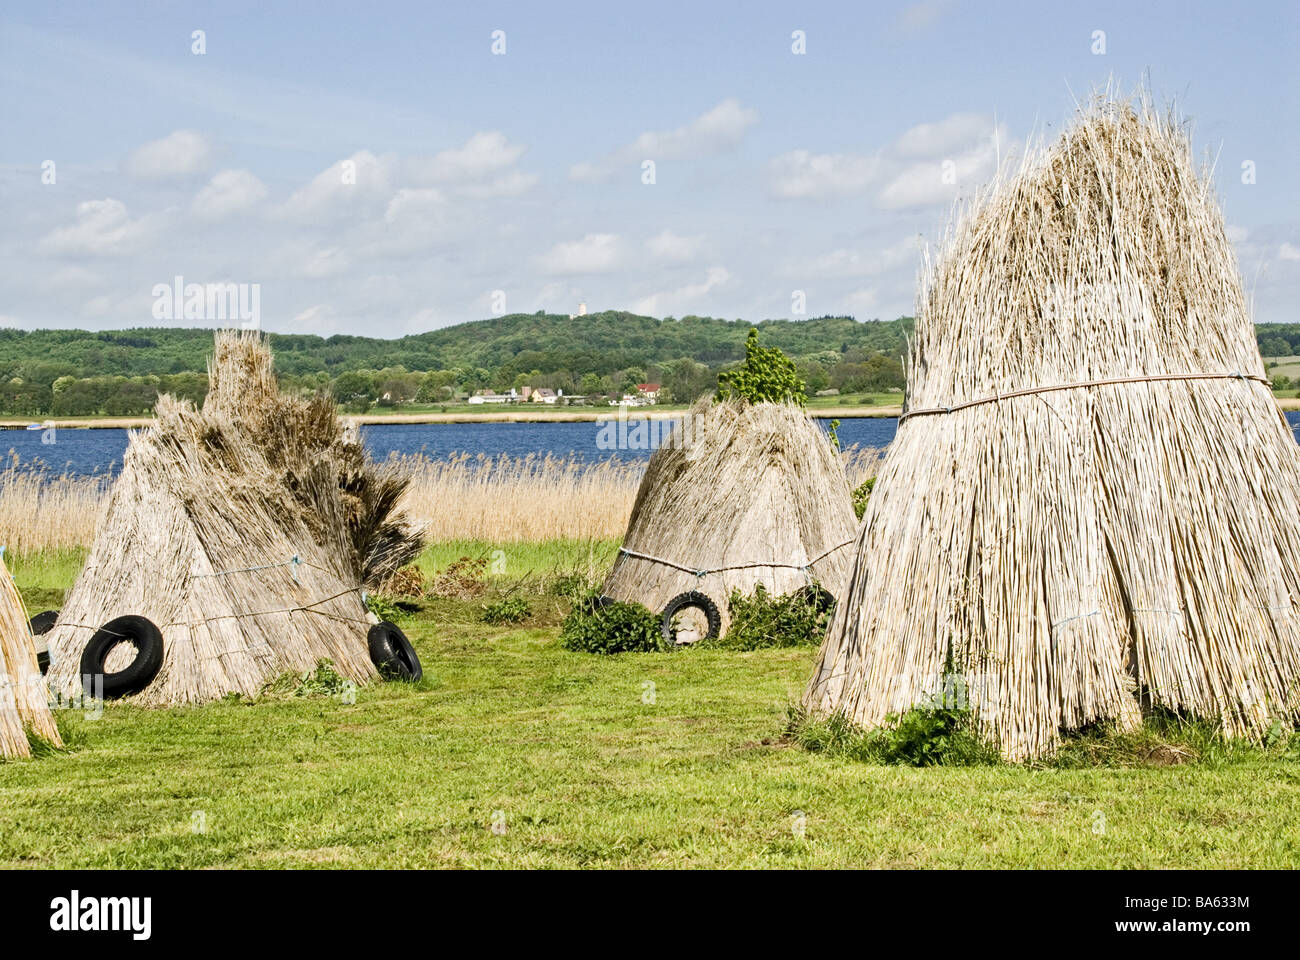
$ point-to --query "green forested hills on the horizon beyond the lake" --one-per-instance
(122, 373)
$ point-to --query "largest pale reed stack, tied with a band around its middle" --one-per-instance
(1086, 553)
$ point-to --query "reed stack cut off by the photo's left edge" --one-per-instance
(24, 698)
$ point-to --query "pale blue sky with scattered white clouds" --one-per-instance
(522, 174)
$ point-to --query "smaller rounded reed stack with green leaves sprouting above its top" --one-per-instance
(749, 494)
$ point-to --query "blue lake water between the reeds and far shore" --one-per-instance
(84, 452)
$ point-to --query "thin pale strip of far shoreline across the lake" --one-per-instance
(580, 416)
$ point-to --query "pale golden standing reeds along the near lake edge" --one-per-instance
(463, 498)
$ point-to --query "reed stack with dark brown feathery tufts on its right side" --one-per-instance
(245, 531)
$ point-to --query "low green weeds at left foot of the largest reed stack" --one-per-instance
(924, 737)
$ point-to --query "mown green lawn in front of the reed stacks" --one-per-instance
(636, 760)
